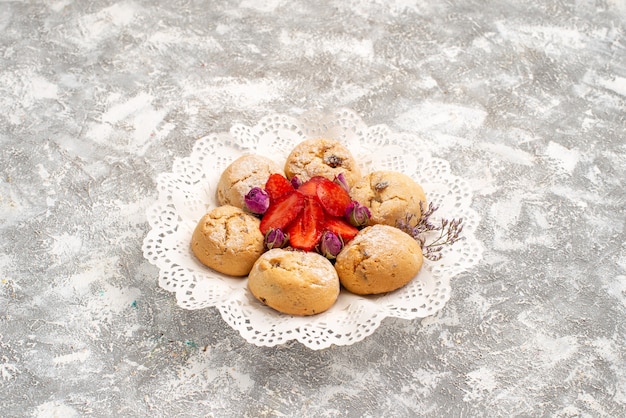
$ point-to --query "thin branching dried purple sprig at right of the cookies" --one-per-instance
(449, 231)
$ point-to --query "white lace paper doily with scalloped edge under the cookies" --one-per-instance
(188, 192)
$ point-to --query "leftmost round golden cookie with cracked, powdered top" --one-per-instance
(228, 240)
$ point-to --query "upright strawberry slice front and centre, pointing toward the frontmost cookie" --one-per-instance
(306, 231)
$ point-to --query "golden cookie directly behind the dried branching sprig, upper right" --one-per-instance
(390, 196)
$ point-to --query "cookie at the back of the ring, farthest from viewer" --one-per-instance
(321, 157)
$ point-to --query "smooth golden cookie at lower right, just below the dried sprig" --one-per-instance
(379, 259)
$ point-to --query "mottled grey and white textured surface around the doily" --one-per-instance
(527, 100)
